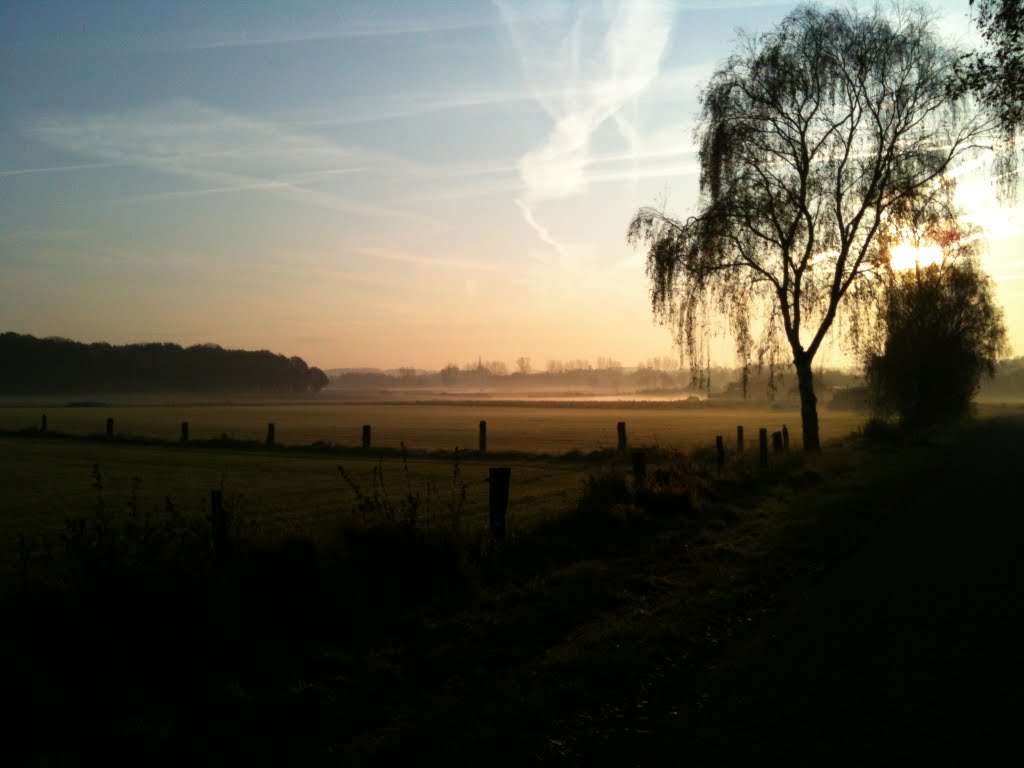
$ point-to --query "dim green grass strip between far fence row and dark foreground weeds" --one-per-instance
(50, 481)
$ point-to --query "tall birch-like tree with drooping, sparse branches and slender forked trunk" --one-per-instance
(820, 142)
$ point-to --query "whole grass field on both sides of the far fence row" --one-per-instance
(51, 481)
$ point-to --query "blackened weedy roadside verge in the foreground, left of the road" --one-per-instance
(145, 638)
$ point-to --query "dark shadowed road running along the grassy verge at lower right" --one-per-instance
(909, 653)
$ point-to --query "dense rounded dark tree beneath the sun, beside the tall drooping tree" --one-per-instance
(943, 333)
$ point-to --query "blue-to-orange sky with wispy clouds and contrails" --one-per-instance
(368, 184)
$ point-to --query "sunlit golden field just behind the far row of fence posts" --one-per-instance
(529, 429)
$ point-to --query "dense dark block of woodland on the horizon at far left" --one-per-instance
(51, 366)
